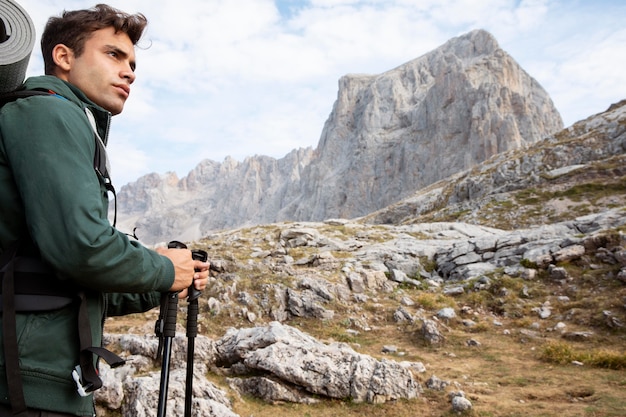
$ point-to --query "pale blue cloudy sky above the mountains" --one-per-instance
(239, 78)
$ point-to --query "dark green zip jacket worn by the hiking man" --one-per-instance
(50, 191)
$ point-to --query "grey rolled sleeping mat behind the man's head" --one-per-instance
(17, 39)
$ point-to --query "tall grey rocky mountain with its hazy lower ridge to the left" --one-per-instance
(388, 136)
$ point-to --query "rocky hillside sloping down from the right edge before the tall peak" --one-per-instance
(572, 155)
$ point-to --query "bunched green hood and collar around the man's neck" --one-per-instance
(75, 95)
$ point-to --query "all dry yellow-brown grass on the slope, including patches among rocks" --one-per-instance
(523, 365)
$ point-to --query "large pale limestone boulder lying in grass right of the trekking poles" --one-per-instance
(333, 370)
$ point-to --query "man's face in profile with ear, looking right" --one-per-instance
(105, 69)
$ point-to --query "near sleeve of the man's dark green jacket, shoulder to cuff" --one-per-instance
(50, 147)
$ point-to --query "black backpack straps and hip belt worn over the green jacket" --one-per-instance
(29, 285)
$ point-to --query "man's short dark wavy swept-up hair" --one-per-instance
(73, 28)
